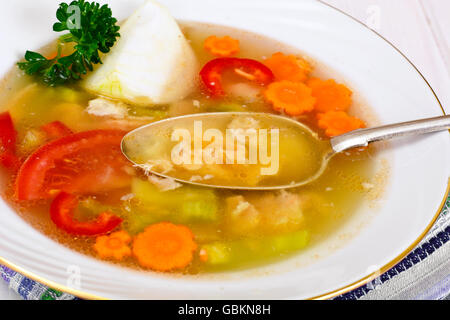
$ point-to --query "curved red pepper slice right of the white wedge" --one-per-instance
(212, 72)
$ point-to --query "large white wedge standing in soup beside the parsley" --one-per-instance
(152, 62)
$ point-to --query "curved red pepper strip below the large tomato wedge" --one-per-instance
(62, 214)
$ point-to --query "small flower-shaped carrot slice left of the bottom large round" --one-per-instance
(113, 246)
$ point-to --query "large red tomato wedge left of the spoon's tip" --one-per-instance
(82, 163)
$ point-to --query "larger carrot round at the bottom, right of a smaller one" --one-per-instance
(164, 247)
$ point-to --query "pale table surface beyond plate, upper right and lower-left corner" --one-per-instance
(419, 28)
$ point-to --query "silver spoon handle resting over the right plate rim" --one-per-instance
(362, 137)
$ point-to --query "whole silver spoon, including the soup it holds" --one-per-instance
(249, 151)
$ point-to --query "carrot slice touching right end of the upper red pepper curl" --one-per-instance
(288, 67)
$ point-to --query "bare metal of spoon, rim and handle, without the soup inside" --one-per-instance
(354, 139)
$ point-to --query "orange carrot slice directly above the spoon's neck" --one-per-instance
(338, 122)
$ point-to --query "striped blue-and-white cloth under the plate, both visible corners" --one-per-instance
(423, 274)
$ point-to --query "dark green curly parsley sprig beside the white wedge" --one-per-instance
(91, 27)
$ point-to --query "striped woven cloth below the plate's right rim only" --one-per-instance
(423, 274)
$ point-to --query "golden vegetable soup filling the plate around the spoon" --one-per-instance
(72, 183)
